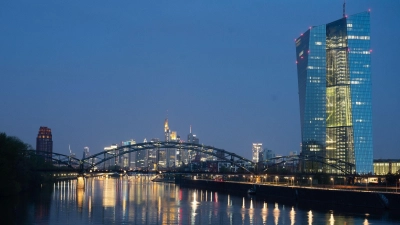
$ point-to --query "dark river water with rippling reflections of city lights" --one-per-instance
(136, 200)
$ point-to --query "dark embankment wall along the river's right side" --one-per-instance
(297, 194)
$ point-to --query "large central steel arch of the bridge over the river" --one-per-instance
(220, 154)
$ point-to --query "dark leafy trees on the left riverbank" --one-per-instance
(20, 168)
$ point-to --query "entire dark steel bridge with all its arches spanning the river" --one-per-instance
(97, 159)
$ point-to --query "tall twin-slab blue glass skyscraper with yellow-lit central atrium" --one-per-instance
(334, 78)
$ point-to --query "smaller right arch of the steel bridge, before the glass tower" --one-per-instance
(347, 169)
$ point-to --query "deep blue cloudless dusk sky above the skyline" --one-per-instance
(101, 72)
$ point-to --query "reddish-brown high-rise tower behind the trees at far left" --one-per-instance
(44, 143)
